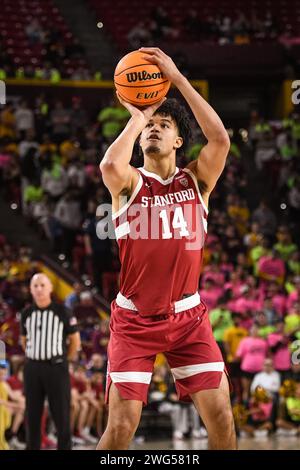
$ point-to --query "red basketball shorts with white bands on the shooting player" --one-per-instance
(186, 340)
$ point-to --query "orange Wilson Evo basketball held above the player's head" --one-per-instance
(138, 81)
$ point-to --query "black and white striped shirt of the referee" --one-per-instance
(46, 330)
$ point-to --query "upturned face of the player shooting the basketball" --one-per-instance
(160, 136)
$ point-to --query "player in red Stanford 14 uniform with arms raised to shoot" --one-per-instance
(158, 308)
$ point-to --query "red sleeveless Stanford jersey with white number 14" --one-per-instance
(161, 232)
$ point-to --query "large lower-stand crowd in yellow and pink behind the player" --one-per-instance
(49, 157)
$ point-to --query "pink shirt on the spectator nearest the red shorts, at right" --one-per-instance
(252, 352)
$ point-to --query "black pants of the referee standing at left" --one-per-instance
(46, 379)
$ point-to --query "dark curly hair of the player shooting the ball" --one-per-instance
(172, 107)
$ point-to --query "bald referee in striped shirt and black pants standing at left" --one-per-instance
(50, 337)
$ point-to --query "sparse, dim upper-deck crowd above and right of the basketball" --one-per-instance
(218, 28)
